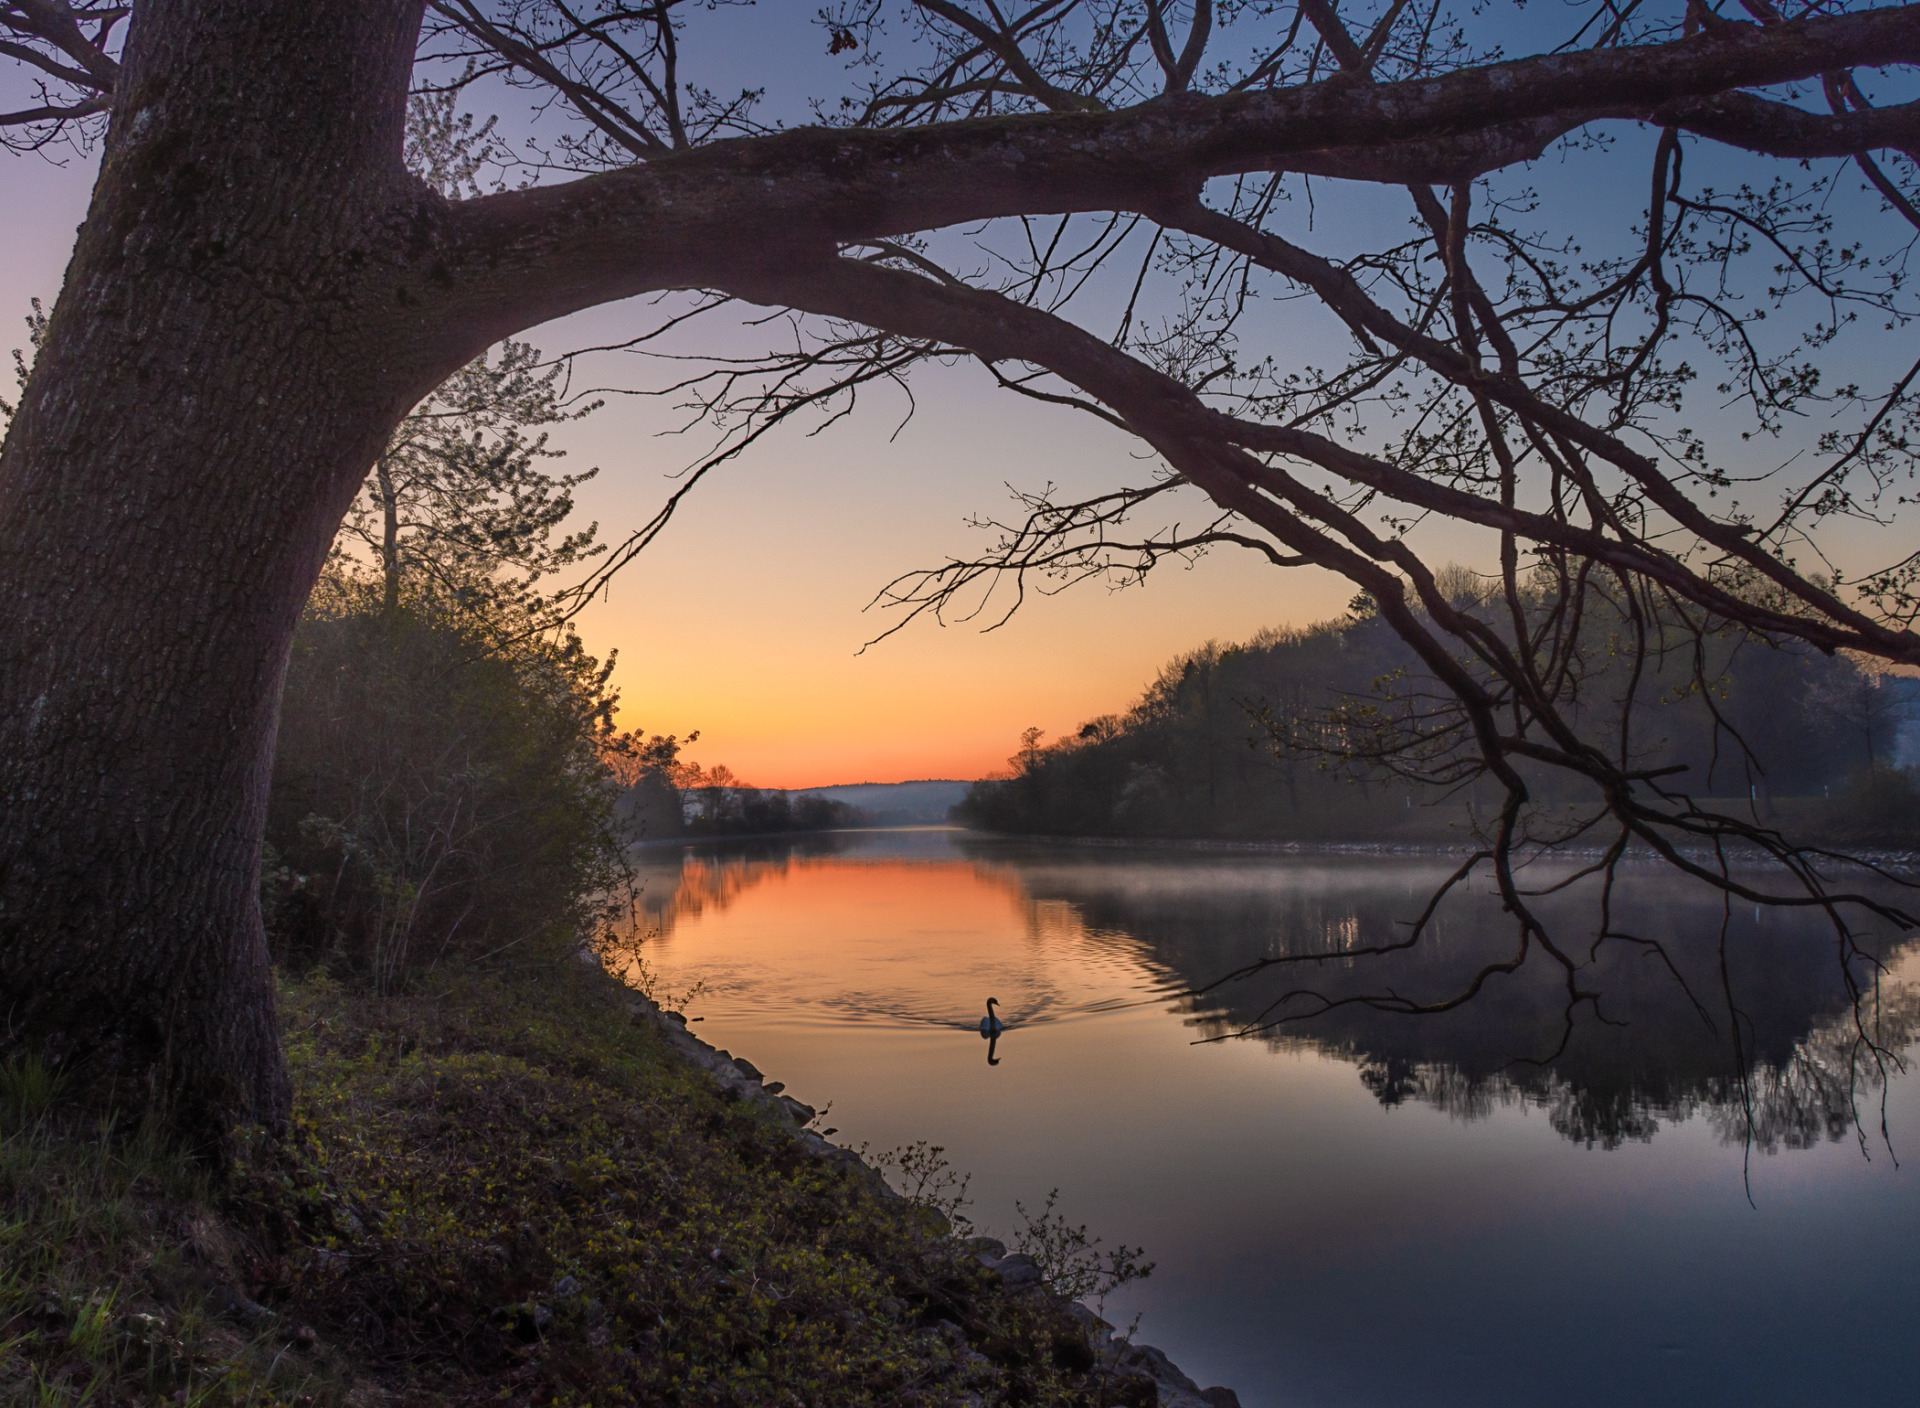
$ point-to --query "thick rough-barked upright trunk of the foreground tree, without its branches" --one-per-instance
(220, 374)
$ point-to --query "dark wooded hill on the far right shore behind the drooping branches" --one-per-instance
(1335, 733)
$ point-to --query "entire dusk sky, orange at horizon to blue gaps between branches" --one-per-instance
(746, 621)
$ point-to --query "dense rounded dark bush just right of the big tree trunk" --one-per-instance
(443, 789)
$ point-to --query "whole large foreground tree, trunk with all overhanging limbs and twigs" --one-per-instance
(262, 293)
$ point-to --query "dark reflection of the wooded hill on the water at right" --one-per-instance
(1765, 1046)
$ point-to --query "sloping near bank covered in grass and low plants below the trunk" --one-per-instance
(523, 1186)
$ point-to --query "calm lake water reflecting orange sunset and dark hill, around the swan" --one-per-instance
(1535, 1200)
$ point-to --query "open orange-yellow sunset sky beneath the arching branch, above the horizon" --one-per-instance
(748, 616)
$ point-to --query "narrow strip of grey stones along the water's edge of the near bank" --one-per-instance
(744, 1082)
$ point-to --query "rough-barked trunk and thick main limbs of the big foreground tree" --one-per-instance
(260, 293)
